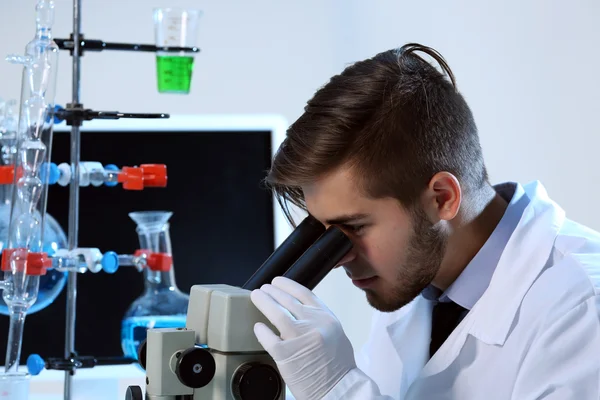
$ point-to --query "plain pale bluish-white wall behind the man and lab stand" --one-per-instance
(528, 69)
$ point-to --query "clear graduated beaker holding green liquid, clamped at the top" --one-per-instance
(175, 27)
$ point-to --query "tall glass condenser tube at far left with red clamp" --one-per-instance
(23, 260)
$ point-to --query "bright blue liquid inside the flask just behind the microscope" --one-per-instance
(133, 330)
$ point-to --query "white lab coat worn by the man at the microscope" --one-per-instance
(534, 334)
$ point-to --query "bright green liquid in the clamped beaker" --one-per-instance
(174, 73)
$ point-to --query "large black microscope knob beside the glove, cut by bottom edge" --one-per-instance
(256, 381)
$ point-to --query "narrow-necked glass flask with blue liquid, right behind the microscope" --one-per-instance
(162, 304)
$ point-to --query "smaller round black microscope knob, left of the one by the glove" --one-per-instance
(195, 367)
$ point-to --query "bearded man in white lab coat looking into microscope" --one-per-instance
(482, 292)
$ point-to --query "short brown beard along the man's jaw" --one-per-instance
(425, 251)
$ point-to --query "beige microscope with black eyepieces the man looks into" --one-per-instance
(217, 356)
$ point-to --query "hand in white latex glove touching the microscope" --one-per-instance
(312, 351)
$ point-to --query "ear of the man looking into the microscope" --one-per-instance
(442, 197)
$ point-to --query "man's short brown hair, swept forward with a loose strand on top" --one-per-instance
(394, 119)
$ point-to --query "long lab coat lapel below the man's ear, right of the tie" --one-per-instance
(523, 259)
